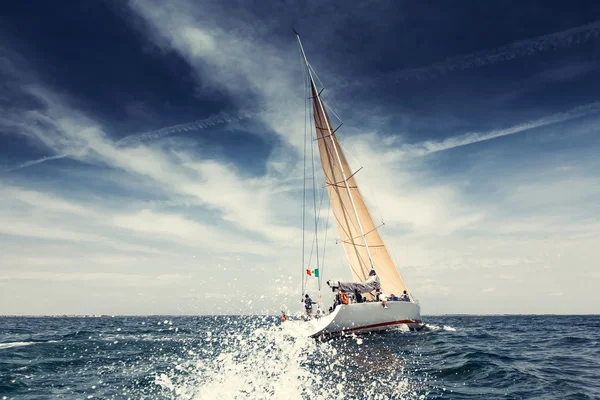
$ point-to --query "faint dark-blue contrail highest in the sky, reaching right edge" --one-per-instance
(518, 49)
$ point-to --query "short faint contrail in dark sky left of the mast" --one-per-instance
(213, 120)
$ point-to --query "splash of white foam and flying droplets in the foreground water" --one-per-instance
(276, 362)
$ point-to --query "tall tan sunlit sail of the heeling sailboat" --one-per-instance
(344, 213)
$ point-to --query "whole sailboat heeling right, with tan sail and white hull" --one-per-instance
(368, 258)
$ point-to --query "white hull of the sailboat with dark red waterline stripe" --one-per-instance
(367, 317)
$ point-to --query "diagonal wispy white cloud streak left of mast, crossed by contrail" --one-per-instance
(215, 186)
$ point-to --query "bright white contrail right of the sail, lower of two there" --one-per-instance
(424, 148)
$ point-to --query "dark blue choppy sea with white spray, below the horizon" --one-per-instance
(163, 357)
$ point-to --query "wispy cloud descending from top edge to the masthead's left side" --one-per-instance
(264, 74)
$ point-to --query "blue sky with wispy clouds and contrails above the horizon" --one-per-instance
(151, 152)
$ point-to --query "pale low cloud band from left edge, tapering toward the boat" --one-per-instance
(39, 215)
